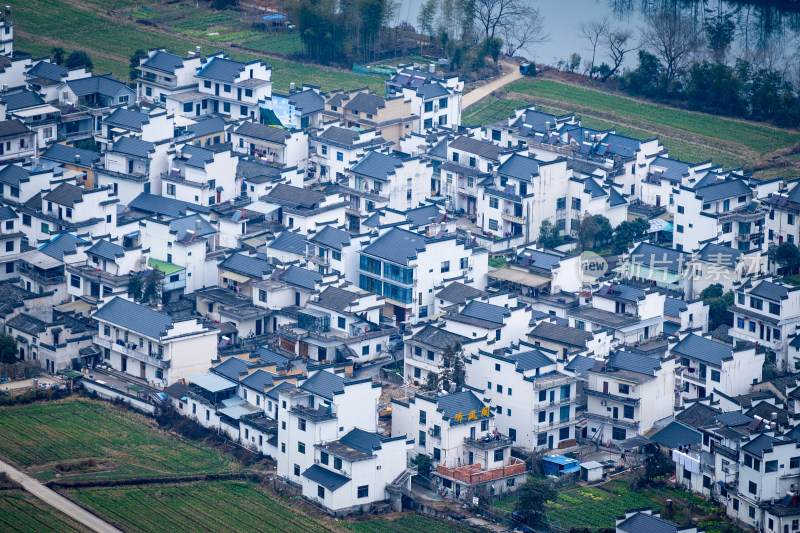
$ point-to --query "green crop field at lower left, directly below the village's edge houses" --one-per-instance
(39, 437)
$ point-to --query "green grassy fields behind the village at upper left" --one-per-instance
(110, 31)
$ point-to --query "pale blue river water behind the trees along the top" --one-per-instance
(761, 26)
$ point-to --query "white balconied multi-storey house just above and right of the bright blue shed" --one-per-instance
(621, 392)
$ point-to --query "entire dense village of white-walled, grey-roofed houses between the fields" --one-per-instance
(282, 242)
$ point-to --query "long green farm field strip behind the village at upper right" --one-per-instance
(689, 136)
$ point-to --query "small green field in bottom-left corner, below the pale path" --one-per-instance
(22, 513)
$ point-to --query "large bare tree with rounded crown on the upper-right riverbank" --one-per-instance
(674, 40)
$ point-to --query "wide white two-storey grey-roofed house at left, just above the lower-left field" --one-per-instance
(151, 345)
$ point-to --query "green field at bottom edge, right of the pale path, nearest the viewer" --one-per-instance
(222, 506)
